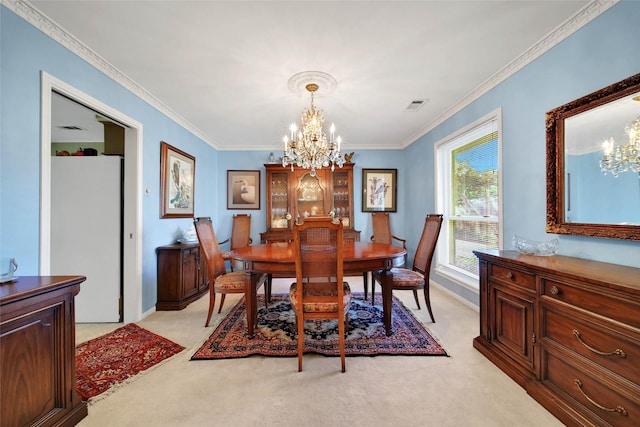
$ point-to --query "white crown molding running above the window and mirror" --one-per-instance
(564, 30)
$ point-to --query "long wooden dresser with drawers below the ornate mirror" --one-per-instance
(567, 330)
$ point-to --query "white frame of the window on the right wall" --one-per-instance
(443, 150)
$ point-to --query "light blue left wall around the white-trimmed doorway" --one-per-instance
(25, 52)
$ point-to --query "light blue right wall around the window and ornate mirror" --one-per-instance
(595, 56)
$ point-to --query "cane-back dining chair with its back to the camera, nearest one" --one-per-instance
(319, 291)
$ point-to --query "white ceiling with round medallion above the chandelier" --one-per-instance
(223, 66)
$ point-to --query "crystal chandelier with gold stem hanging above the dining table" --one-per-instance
(309, 146)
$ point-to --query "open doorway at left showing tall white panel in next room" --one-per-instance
(87, 206)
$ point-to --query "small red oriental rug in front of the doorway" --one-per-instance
(117, 357)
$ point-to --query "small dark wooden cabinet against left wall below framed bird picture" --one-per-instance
(182, 276)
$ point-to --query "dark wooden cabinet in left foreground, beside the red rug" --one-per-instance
(37, 352)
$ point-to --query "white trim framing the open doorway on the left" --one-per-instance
(132, 238)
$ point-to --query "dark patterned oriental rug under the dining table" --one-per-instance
(276, 333)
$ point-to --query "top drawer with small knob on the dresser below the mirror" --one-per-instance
(621, 308)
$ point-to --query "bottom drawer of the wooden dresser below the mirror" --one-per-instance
(598, 395)
